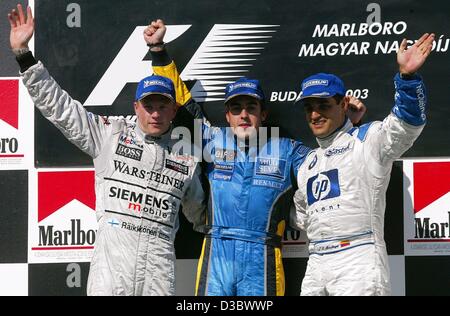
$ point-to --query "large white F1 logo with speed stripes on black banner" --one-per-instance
(210, 66)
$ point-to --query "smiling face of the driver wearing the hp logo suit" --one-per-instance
(324, 115)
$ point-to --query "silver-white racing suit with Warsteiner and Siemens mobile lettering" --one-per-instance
(140, 185)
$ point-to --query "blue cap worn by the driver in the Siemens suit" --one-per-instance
(155, 85)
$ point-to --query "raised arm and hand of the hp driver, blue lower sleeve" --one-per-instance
(402, 127)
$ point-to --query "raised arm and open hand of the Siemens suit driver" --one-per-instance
(82, 128)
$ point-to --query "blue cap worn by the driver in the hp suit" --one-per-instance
(321, 85)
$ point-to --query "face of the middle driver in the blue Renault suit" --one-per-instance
(245, 116)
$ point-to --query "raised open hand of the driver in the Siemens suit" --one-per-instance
(22, 28)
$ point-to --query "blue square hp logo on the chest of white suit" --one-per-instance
(324, 186)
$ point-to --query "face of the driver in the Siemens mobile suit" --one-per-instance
(155, 114)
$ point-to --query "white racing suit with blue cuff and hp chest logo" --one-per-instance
(342, 197)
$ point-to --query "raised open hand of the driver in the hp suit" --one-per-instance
(411, 59)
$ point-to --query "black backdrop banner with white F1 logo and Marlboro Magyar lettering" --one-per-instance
(91, 44)
